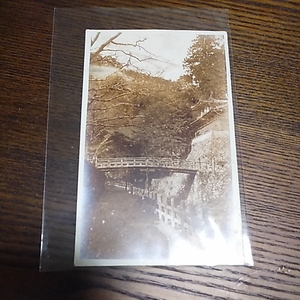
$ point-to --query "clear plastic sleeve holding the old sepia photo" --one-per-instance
(195, 203)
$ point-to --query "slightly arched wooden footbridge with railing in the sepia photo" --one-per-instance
(175, 165)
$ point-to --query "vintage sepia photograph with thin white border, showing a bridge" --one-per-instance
(158, 182)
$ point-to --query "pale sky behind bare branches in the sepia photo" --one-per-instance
(167, 49)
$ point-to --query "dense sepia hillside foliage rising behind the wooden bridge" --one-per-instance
(134, 114)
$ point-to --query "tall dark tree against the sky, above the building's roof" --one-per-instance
(205, 65)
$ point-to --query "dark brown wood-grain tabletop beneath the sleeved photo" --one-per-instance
(265, 44)
